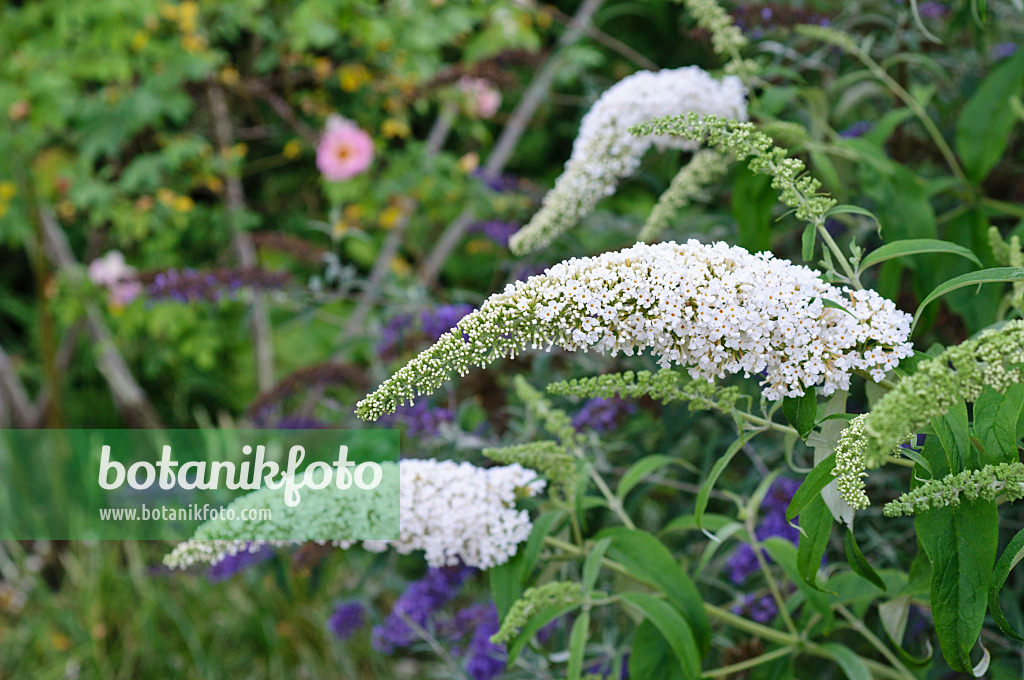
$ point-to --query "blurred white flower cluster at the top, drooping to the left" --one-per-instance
(605, 152)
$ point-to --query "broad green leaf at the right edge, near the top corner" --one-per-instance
(985, 124)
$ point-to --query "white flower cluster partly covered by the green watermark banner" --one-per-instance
(455, 513)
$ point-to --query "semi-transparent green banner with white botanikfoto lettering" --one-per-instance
(320, 485)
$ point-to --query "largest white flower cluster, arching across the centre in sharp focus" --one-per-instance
(716, 310)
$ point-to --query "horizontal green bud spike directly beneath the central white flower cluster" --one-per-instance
(665, 387)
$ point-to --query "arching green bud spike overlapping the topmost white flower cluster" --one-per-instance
(798, 190)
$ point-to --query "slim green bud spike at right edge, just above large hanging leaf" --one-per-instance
(988, 484)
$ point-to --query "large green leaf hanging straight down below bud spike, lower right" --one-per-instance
(961, 542)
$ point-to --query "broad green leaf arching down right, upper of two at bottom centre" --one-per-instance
(649, 561)
